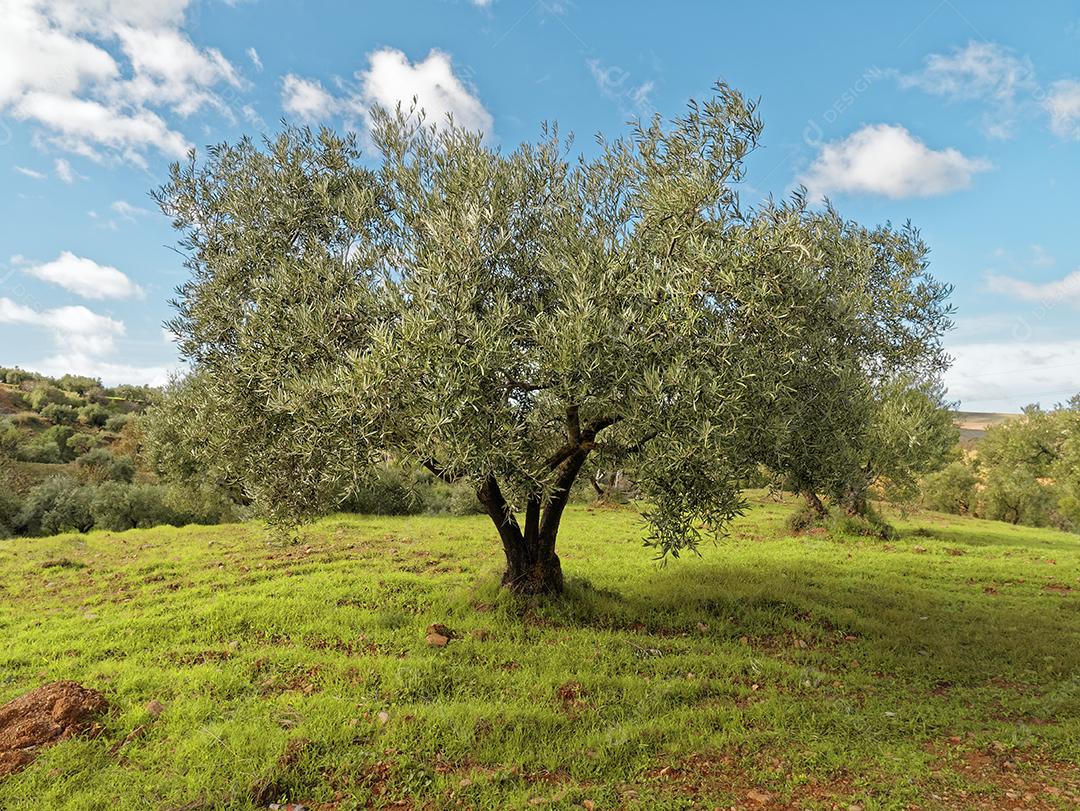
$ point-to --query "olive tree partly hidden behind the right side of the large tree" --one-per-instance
(863, 403)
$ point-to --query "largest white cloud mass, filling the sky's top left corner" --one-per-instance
(96, 76)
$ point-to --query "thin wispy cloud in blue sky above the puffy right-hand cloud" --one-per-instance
(982, 72)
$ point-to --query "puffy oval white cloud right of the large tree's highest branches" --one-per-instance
(884, 159)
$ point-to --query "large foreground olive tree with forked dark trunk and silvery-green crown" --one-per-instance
(499, 319)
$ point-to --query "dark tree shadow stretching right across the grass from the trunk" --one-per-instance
(926, 627)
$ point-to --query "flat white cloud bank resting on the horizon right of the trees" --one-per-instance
(1008, 375)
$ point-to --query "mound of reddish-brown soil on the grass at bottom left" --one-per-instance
(42, 718)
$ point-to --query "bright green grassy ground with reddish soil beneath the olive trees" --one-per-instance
(938, 671)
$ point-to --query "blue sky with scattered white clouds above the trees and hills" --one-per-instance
(964, 117)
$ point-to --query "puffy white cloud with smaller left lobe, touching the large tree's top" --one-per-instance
(389, 80)
